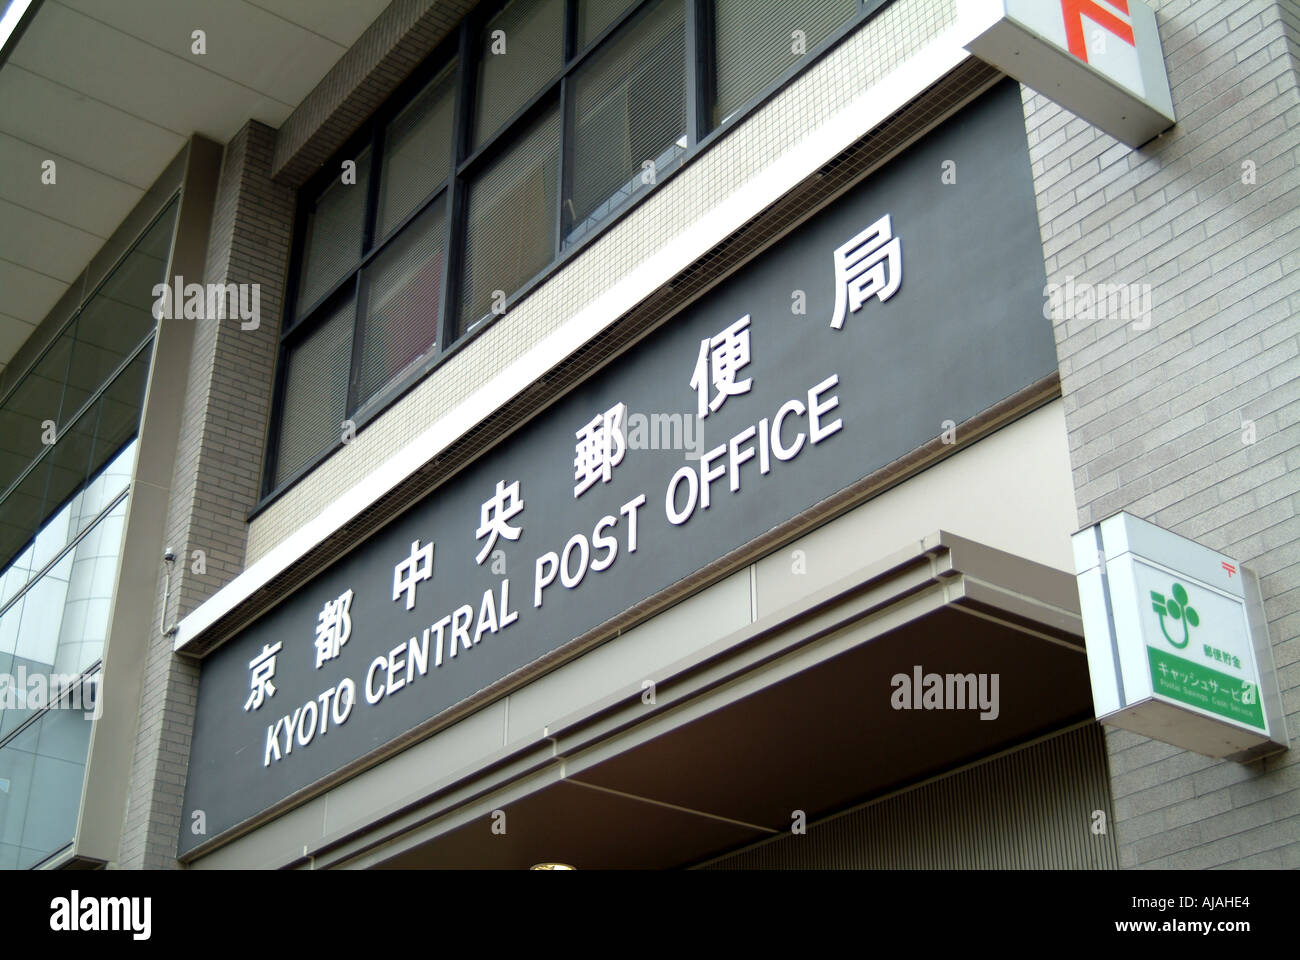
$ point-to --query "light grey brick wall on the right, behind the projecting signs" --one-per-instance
(1156, 416)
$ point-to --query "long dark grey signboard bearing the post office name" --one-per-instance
(909, 302)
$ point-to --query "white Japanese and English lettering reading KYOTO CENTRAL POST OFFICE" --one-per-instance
(866, 266)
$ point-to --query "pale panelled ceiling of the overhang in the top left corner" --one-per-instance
(111, 93)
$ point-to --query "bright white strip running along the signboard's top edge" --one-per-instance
(877, 103)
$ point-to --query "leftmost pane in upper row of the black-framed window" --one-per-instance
(335, 230)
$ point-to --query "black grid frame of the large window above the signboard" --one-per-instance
(467, 163)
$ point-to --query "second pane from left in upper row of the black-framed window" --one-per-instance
(417, 150)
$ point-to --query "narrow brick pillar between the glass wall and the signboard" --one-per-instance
(216, 478)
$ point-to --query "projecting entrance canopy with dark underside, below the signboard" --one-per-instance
(791, 713)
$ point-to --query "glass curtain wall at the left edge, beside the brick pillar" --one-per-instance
(67, 457)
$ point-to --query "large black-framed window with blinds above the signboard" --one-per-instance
(531, 129)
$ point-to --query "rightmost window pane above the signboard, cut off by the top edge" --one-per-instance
(755, 44)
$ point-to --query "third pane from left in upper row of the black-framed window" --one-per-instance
(534, 37)
